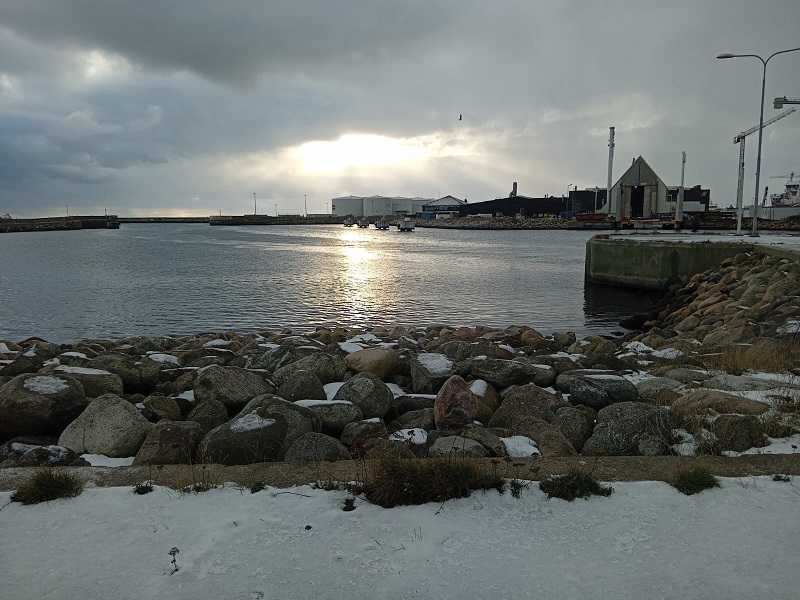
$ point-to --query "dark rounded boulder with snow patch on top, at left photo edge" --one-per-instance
(32, 404)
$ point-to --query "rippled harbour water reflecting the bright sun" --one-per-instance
(157, 279)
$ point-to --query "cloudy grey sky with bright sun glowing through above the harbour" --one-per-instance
(155, 107)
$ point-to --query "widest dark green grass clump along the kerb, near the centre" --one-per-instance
(398, 482)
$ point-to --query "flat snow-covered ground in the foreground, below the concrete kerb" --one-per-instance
(644, 541)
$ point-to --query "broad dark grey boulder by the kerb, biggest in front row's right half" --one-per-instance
(632, 429)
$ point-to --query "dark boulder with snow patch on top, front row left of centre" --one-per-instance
(249, 438)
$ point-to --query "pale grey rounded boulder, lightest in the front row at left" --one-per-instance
(110, 426)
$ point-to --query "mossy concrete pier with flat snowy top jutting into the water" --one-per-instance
(649, 263)
